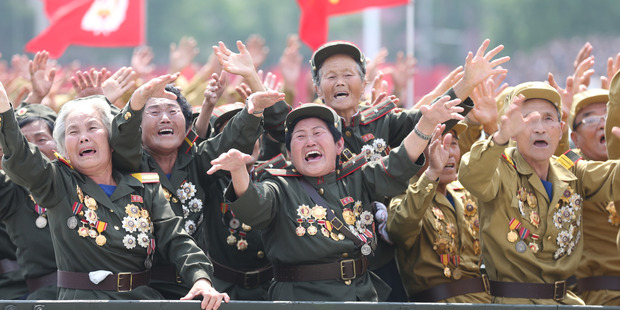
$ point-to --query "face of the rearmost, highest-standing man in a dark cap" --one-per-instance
(341, 84)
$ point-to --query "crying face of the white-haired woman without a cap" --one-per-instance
(86, 141)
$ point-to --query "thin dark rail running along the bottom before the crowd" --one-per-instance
(244, 305)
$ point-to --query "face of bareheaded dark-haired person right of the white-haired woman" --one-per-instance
(163, 126)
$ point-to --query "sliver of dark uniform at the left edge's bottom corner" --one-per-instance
(12, 283)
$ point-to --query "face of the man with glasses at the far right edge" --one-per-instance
(590, 133)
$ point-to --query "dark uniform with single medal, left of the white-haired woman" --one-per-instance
(27, 225)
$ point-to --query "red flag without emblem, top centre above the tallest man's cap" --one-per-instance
(313, 23)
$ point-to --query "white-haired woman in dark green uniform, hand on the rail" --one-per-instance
(105, 225)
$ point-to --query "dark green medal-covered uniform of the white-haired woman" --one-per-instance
(93, 234)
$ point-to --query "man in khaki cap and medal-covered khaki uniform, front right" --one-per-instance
(531, 203)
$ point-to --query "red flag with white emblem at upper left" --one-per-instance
(106, 23)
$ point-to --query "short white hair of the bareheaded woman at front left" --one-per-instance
(98, 102)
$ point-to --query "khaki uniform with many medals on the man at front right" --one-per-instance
(527, 237)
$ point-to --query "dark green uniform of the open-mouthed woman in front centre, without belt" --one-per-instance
(280, 206)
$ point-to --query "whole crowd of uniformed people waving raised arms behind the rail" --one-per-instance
(222, 182)
